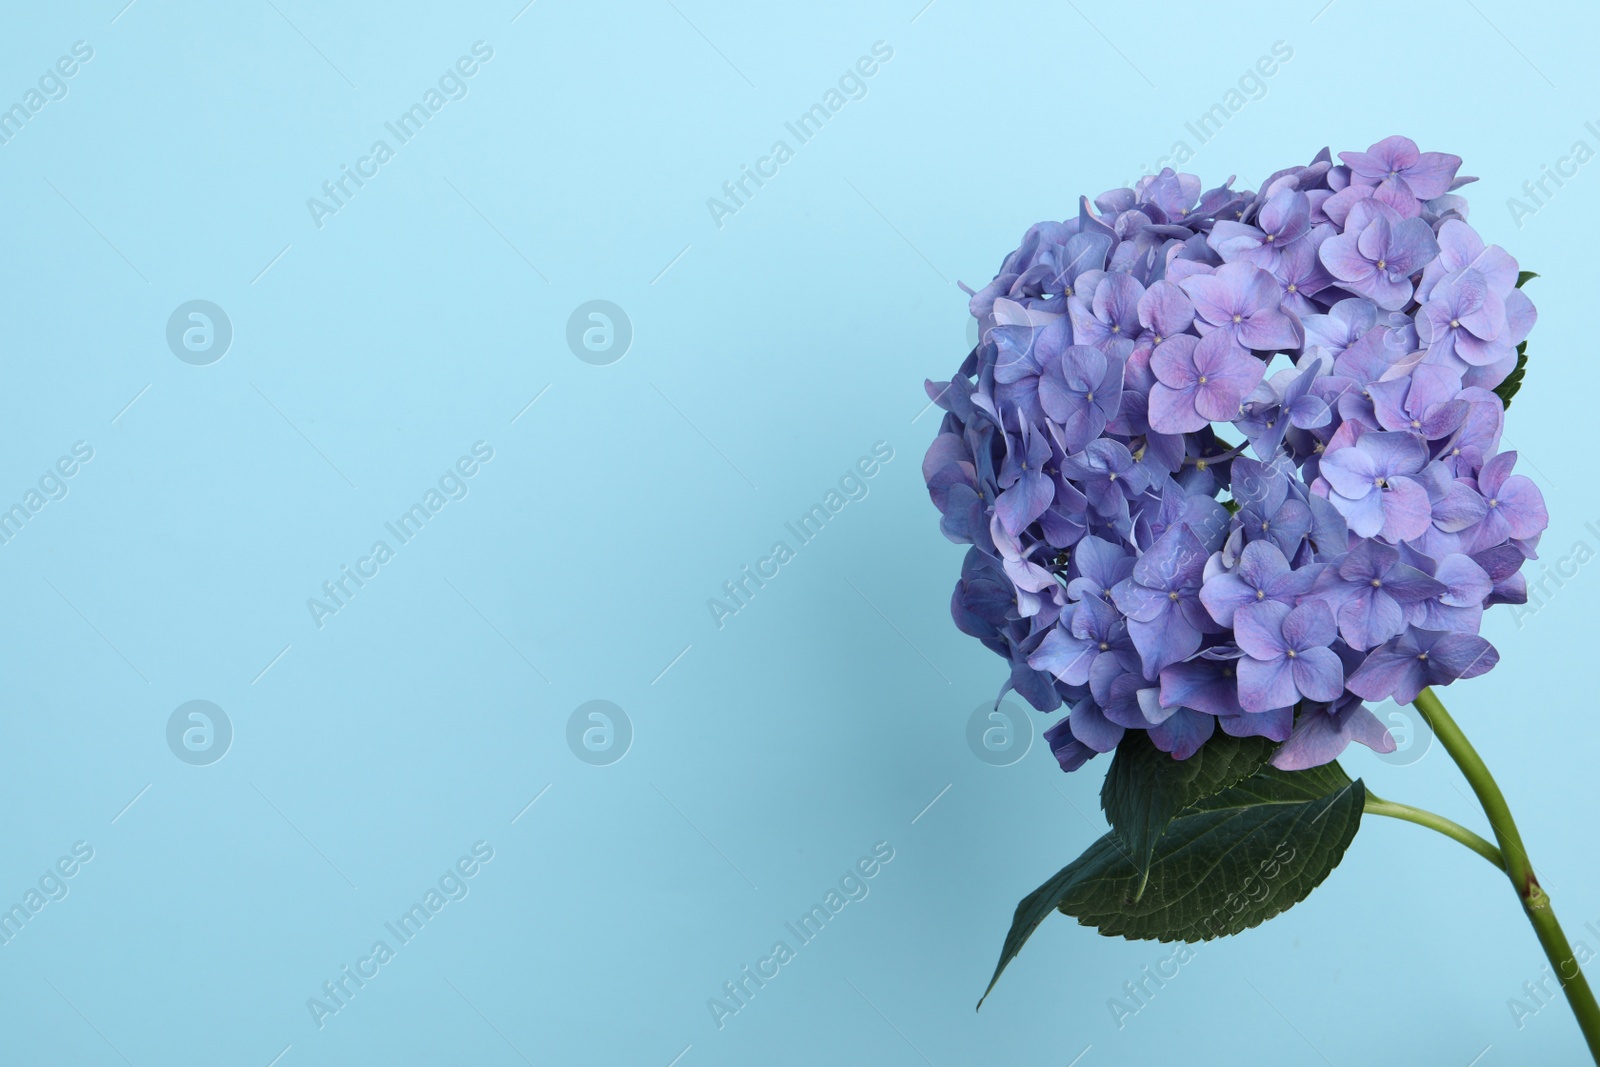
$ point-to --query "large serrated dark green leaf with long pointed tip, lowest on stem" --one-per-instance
(1226, 865)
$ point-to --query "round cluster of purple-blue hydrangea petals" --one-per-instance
(1174, 533)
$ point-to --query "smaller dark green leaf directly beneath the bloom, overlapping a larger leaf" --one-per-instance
(1146, 788)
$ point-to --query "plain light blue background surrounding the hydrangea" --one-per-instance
(769, 356)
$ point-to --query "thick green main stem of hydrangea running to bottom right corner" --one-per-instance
(1535, 901)
